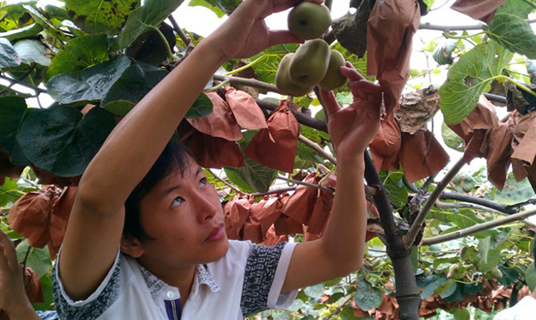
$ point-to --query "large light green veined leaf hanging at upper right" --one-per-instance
(469, 78)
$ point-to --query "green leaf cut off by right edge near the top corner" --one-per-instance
(513, 33)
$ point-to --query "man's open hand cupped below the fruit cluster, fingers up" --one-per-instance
(351, 129)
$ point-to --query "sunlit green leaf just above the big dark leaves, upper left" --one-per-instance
(79, 54)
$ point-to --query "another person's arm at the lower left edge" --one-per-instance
(13, 299)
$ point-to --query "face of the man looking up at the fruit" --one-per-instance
(184, 216)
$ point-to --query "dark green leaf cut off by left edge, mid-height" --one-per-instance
(12, 110)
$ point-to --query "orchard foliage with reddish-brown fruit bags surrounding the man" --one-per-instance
(97, 59)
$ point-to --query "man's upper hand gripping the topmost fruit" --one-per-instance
(245, 33)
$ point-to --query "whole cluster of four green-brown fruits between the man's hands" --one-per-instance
(313, 63)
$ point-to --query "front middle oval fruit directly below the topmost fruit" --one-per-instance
(310, 63)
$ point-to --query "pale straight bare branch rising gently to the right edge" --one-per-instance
(477, 228)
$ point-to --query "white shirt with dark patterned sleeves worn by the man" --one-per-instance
(248, 279)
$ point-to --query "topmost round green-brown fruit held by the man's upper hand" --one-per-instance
(309, 20)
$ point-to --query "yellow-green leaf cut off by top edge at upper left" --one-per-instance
(95, 16)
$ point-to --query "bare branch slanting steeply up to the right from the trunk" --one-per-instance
(409, 238)
